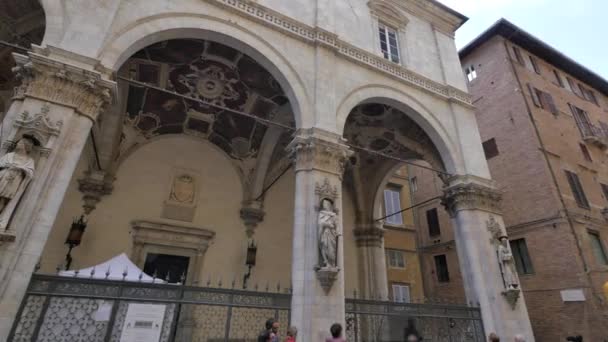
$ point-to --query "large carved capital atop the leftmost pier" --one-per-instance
(53, 81)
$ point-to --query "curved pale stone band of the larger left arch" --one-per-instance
(151, 30)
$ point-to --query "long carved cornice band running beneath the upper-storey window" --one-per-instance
(318, 36)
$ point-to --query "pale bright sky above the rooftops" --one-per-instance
(577, 28)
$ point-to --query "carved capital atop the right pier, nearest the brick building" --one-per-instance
(469, 192)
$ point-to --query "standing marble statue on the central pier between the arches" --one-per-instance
(328, 234)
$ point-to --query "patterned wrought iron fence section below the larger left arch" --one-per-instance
(59, 309)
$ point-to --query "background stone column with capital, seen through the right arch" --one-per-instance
(370, 242)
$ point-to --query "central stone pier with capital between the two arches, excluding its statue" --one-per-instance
(318, 292)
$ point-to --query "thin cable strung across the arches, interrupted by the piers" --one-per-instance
(257, 118)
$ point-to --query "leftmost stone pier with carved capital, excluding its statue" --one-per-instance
(60, 103)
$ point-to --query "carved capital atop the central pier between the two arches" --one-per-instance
(315, 149)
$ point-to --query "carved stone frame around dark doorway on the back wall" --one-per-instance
(166, 238)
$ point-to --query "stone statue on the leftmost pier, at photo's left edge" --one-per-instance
(16, 171)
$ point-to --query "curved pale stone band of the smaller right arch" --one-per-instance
(418, 113)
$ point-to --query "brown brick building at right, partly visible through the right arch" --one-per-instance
(542, 119)
